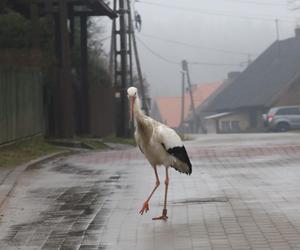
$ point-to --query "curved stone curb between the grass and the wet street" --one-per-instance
(11, 179)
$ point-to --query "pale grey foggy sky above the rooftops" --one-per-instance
(243, 26)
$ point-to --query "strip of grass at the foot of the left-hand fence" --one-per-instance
(23, 151)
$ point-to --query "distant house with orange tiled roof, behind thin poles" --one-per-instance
(167, 109)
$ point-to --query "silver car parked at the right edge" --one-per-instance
(282, 118)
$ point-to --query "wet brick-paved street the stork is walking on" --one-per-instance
(243, 194)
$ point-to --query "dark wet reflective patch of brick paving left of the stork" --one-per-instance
(74, 215)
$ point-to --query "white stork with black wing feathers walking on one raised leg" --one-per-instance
(160, 144)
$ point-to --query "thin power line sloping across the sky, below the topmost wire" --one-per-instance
(196, 46)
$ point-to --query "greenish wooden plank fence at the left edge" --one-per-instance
(21, 104)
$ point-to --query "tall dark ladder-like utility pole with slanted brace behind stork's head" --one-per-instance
(123, 39)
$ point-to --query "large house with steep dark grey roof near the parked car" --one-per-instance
(272, 79)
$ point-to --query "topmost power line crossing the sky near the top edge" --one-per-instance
(205, 12)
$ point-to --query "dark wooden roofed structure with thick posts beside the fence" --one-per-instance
(62, 13)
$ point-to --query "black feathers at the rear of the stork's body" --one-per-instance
(183, 164)
